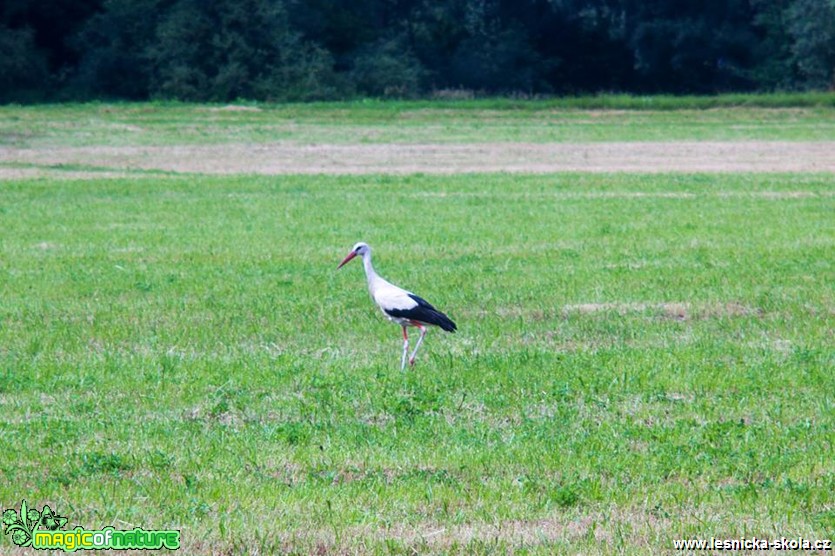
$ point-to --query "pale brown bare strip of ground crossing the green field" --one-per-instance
(758, 156)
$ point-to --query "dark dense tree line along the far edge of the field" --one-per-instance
(278, 50)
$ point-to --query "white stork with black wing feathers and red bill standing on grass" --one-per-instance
(398, 305)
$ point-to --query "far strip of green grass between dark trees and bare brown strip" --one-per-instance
(590, 119)
